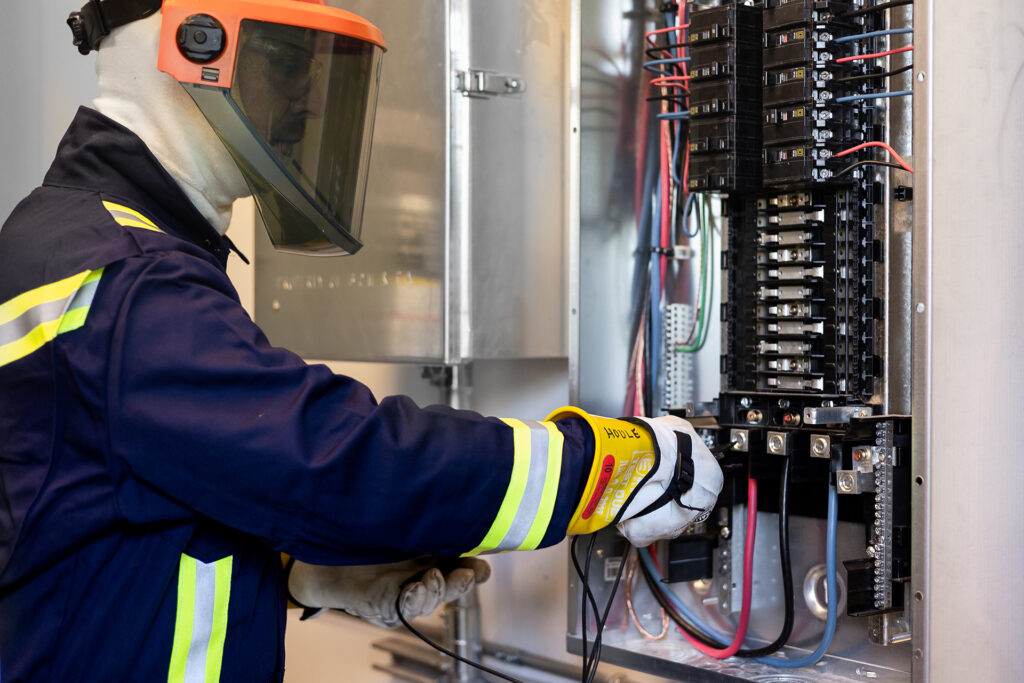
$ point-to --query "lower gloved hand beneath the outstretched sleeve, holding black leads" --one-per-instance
(371, 591)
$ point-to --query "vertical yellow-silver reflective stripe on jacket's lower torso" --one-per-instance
(201, 621)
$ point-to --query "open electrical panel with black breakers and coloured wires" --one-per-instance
(793, 114)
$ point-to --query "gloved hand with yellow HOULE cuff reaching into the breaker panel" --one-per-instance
(652, 478)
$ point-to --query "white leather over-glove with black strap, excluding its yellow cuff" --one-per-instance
(682, 490)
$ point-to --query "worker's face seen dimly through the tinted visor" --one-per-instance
(279, 88)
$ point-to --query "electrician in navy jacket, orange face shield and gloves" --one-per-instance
(158, 454)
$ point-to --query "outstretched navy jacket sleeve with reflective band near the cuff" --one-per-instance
(207, 417)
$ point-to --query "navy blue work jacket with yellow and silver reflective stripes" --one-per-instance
(157, 454)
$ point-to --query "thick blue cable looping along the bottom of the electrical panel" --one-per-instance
(831, 584)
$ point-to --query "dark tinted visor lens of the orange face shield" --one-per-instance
(310, 97)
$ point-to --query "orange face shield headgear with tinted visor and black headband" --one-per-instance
(290, 87)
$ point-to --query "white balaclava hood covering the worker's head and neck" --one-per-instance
(156, 108)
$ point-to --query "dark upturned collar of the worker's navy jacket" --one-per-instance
(100, 155)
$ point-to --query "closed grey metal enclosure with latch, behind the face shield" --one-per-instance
(465, 223)
